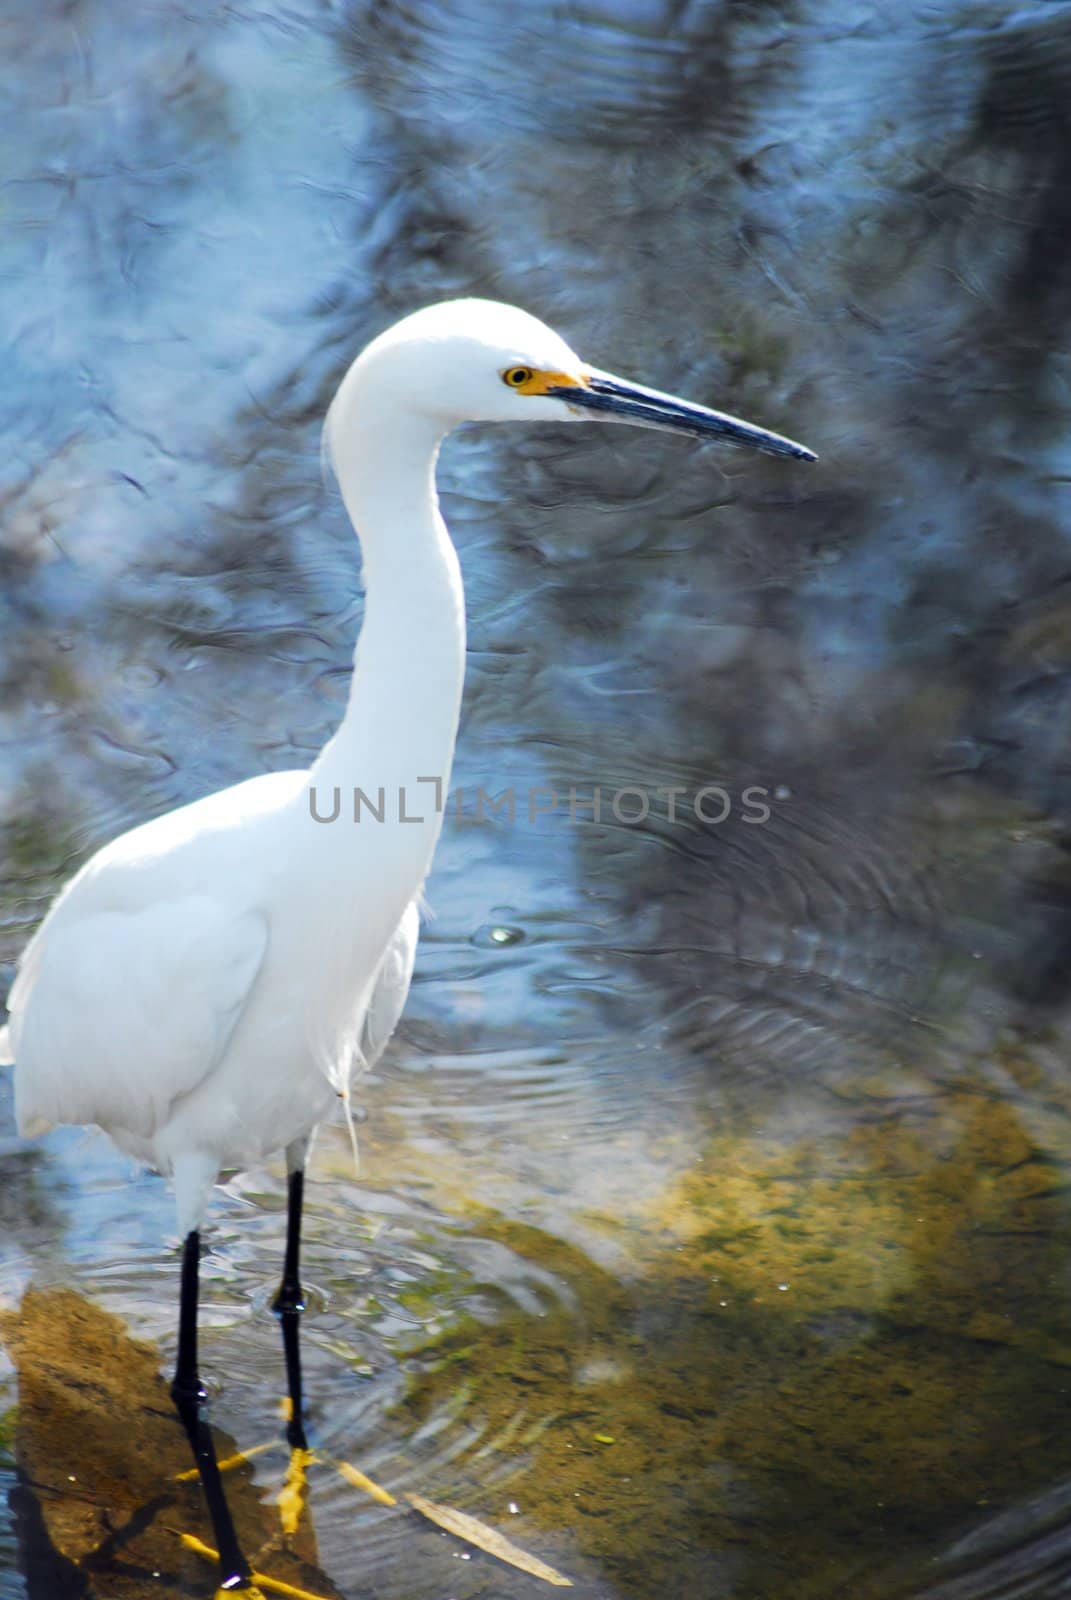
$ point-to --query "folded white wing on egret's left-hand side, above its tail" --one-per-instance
(118, 1014)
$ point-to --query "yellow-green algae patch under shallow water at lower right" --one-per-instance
(825, 1356)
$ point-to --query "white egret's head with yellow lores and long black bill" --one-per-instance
(473, 361)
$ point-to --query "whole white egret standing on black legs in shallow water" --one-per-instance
(206, 986)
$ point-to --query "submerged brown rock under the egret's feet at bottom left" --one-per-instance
(100, 1452)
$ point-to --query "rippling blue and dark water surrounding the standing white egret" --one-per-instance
(715, 1209)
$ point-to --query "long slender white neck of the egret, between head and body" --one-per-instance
(409, 668)
